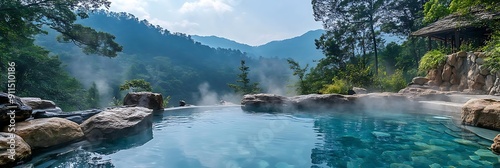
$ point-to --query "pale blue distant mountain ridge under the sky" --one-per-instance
(300, 48)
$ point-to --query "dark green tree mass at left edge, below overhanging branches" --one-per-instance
(40, 75)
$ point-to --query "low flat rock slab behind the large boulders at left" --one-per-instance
(75, 116)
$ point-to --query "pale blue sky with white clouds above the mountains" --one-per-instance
(253, 22)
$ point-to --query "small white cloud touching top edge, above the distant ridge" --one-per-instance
(206, 5)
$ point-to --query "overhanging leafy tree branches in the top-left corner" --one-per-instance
(20, 20)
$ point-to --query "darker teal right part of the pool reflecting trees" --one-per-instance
(397, 140)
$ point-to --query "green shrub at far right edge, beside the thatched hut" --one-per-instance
(492, 50)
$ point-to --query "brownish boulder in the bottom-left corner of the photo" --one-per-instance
(13, 149)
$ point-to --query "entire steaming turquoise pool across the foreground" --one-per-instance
(231, 138)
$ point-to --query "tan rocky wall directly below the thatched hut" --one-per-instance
(465, 72)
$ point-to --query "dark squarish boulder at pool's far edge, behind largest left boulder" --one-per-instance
(144, 99)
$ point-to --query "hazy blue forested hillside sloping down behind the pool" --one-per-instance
(173, 63)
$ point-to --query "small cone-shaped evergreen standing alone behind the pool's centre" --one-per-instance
(246, 87)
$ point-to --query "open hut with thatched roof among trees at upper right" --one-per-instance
(454, 29)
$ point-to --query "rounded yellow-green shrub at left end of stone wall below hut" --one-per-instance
(431, 60)
